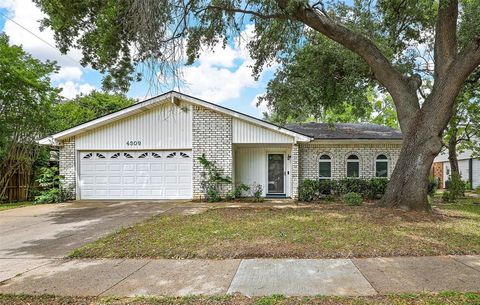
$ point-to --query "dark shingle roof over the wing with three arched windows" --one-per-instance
(346, 131)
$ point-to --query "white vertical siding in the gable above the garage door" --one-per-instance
(164, 127)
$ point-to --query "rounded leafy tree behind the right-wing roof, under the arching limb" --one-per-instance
(325, 82)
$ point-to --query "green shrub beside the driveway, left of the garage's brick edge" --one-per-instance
(51, 184)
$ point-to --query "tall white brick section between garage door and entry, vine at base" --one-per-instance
(212, 136)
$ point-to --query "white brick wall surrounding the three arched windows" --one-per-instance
(310, 153)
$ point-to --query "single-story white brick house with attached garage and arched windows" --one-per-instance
(149, 151)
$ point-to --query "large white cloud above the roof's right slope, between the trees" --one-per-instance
(222, 73)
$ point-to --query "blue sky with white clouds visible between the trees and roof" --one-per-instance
(222, 76)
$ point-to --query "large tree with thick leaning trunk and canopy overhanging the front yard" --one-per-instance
(391, 36)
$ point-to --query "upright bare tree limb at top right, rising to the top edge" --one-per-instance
(445, 36)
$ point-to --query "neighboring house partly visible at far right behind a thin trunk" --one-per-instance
(469, 168)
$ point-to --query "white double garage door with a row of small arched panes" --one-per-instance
(135, 175)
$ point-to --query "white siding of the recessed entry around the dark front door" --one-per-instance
(251, 165)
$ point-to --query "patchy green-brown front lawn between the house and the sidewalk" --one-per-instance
(318, 231)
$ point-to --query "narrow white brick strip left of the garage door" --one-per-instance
(67, 163)
